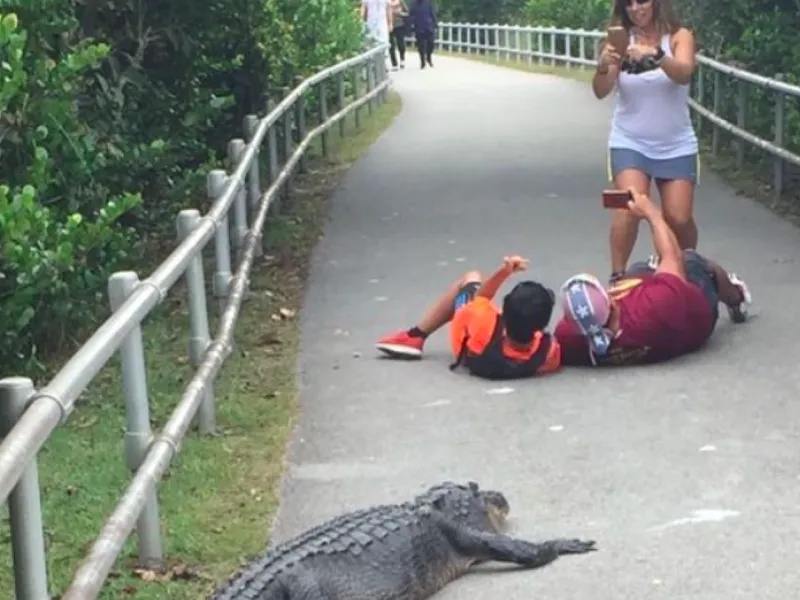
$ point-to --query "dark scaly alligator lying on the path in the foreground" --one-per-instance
(405, 551)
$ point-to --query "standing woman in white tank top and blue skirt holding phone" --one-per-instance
(651, 136)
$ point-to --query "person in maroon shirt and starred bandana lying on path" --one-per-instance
(655, 312)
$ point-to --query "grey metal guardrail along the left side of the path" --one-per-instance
(28, 417)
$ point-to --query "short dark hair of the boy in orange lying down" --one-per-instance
(527, 309)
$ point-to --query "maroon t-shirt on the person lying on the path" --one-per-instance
(661, 317)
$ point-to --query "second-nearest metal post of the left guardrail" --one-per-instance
(138, 434)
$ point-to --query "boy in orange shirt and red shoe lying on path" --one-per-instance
(491, 343)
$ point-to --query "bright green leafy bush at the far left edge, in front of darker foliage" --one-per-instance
(52, 260)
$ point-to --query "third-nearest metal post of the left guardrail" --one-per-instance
(199, 337)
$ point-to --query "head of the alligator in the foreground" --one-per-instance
(485, 510)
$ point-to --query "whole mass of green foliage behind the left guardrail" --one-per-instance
(111, 113)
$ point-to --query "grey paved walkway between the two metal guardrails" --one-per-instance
(485, 161)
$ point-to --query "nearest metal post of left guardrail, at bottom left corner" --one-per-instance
(24, 502)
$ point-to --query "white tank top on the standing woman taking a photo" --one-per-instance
(651, 114)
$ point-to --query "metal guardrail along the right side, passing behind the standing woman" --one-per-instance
(579, 48)
